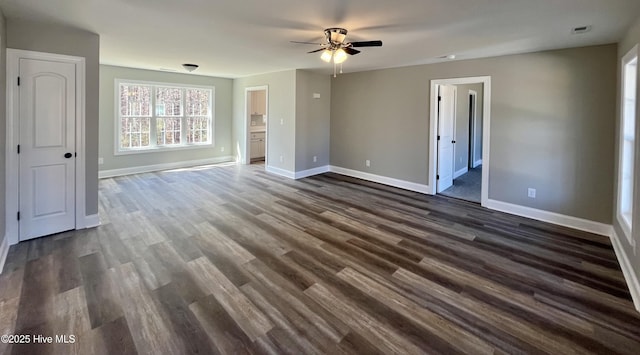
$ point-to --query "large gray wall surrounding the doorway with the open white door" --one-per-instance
(552, 125)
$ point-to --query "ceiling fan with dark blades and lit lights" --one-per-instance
(336, 49)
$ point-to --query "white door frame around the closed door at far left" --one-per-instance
(12, 198)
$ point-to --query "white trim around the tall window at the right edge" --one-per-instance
(622, 222)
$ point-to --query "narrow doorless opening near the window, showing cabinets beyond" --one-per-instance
(256, 100)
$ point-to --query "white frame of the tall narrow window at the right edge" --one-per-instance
(627, 224)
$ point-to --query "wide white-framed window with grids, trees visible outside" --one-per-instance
(156, 116)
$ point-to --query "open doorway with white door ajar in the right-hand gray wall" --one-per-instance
(459, 137)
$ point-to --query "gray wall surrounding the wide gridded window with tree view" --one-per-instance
(222, 128)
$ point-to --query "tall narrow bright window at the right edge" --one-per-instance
(627, 140)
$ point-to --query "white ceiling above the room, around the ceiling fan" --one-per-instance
(247, 37)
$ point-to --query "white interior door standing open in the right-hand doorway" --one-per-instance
(446, 134)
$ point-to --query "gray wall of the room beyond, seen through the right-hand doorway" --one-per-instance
(462, 124)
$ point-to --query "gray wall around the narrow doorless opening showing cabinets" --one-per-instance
(281, 106)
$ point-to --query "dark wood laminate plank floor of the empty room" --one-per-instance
(232, 260)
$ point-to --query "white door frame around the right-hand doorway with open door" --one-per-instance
(486, 124)
